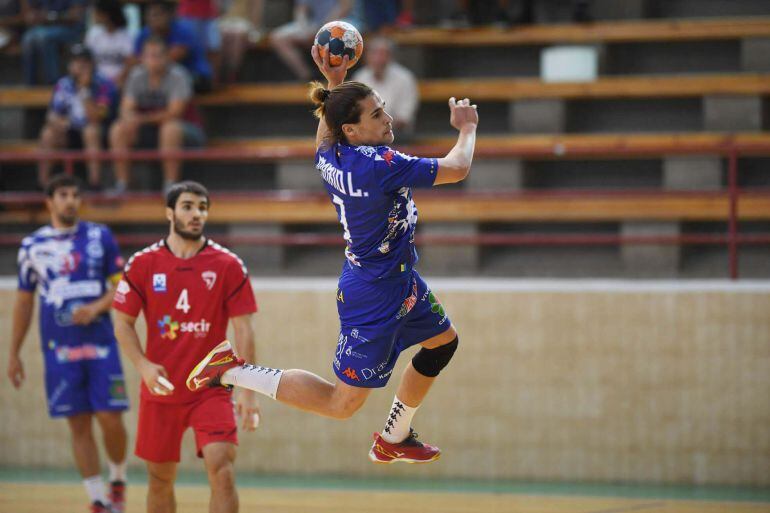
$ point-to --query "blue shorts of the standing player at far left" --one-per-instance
(84, 379)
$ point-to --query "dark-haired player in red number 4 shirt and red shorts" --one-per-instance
(188, 287)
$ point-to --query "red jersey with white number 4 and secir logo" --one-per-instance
(186, 304)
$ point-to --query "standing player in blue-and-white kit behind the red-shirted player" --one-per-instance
(73, 265)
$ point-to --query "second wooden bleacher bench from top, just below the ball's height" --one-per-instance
(478, 89)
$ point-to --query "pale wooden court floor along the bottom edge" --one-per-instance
(45, 497)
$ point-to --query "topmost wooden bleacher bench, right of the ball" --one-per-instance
(600, 32)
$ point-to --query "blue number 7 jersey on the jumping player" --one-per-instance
(371, 188)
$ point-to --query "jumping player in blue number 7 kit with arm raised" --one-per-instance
(384, 305)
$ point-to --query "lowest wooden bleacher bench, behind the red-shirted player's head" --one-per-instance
(436, 206)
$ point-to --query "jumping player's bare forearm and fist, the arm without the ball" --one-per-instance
(457, 163)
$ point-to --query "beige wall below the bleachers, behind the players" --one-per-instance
(594, 381)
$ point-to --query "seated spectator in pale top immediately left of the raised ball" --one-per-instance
(292, 40)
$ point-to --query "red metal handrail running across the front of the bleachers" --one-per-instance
(726, 146)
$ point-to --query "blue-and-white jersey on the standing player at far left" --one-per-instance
(69, 268)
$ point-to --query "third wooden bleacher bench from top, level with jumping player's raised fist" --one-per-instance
(537, 147)
